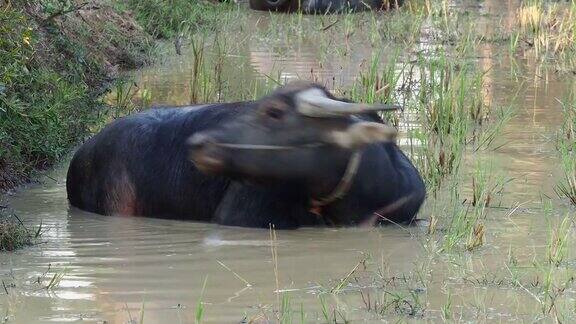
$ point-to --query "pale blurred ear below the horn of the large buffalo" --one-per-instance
(361, 134)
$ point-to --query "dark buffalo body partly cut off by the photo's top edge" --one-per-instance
(323, 6)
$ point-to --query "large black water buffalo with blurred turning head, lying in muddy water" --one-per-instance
(298, 157)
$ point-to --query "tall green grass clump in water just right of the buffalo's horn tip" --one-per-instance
(444, 97)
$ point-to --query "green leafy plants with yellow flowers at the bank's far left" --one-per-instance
(36, 125)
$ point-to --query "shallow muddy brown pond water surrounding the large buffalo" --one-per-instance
(122, 269)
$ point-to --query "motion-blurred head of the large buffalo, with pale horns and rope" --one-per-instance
(300, 132)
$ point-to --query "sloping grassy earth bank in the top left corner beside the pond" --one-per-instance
(56, 59)
